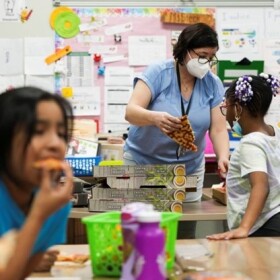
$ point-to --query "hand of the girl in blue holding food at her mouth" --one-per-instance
(52, 195)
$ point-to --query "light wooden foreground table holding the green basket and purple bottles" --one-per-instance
(254, 258)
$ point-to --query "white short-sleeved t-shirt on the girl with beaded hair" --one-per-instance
(256, 152)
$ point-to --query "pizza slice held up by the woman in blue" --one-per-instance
(184, 136)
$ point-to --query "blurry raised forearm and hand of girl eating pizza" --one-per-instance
(50, 198)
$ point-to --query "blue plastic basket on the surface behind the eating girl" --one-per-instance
(83, 166)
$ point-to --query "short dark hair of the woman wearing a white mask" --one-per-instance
(199, 35)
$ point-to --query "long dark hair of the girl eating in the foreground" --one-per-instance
(18, 111)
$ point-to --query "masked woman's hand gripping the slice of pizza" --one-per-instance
(167, 123)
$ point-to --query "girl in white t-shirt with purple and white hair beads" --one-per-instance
(253, 178)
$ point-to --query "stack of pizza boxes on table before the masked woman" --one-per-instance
(164, 186)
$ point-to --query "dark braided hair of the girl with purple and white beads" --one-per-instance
(261, 99)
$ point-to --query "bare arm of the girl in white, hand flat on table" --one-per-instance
(258, 195)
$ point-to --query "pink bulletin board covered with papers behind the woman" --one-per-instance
(129, 23)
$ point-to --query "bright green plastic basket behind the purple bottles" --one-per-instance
(105, 241)
